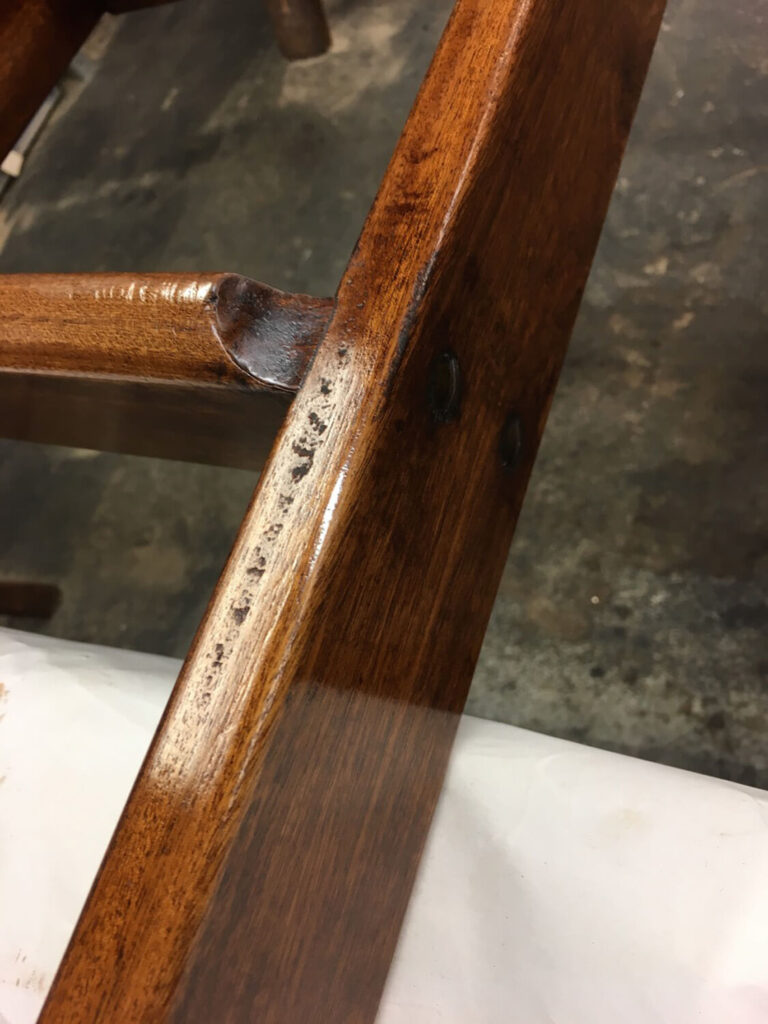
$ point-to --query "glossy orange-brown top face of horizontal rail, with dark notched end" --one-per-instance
(210, 331)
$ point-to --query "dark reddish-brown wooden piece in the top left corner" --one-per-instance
(38, 38)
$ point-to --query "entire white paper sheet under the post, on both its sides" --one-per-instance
(562, 885)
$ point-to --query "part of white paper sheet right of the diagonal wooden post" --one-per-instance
(565, 885)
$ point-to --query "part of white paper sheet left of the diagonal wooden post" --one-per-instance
(76, 723)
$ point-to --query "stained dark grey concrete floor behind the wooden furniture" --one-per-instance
(634, 607)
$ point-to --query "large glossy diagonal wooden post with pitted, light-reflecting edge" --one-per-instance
(264, 863)
